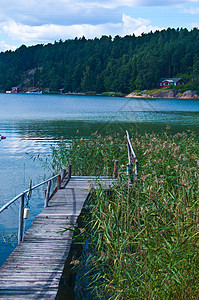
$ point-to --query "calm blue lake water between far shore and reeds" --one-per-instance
(32, 123)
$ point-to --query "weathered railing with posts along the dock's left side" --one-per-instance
(65, 174)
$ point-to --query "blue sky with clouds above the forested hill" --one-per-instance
(31, 22)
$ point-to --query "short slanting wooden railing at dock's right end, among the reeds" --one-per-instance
(132, 166)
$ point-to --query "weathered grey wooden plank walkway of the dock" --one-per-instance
(34, 269)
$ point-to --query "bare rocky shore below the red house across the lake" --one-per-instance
(164, 94)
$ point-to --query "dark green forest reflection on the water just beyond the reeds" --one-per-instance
(50, 131)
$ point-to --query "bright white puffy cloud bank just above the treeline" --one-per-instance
(48, 32)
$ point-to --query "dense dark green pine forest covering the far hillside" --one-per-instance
(119, 64)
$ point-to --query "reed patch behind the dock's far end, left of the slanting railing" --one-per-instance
(93, 156)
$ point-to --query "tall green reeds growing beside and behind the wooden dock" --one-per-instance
(142, 241)
